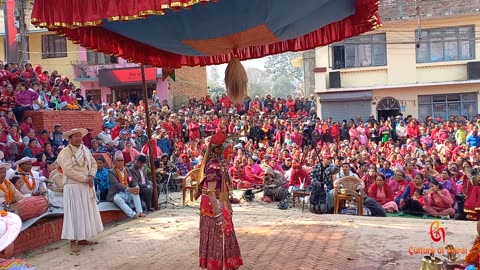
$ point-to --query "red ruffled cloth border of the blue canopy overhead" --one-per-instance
(91, 12)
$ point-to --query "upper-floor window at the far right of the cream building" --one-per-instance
(446, 44)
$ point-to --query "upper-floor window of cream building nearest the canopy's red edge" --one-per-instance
(363, 51)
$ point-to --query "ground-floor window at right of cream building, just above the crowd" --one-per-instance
(444, 106)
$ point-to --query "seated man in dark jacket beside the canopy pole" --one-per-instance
(137, 171)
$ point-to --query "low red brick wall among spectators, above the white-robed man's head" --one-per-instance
(68, 120)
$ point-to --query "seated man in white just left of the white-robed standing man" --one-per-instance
(33, 184)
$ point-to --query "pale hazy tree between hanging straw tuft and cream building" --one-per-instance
(281, 70)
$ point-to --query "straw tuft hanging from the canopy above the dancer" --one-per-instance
(236, 81)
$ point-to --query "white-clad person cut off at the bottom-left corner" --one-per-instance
(10, 226)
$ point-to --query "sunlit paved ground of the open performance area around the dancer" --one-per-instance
(269, 239)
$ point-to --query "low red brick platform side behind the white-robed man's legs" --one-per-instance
(49, 230)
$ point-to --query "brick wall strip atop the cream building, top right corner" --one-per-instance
(403, 9)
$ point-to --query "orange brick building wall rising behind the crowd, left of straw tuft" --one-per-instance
(189, 81)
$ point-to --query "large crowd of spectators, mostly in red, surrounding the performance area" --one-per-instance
(406, 165)
